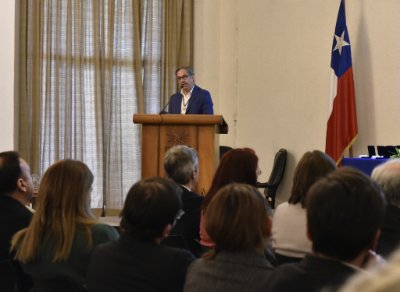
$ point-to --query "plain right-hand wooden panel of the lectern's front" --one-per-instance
(206, 158)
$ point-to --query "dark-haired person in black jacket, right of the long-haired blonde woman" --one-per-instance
(136, 261)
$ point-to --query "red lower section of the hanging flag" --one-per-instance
(342, 124)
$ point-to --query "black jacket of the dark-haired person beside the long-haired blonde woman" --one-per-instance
(128, 264)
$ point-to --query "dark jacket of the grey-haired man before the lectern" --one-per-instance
(189, 224)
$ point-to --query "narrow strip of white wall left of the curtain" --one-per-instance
(8, 129)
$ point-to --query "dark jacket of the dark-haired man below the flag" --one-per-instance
(311, 274)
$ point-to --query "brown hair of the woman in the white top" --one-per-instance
(311, 167)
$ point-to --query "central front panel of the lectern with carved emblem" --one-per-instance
(171, 135)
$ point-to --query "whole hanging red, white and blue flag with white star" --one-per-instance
(342, 127)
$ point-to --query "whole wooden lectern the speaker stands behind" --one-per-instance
(161, 132)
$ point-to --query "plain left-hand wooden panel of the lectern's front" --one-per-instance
(150, 145)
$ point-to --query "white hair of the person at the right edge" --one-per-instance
(387, 175)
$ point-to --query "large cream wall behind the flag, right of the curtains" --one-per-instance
(274, 66)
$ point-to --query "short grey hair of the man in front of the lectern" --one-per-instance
(179, 162)
